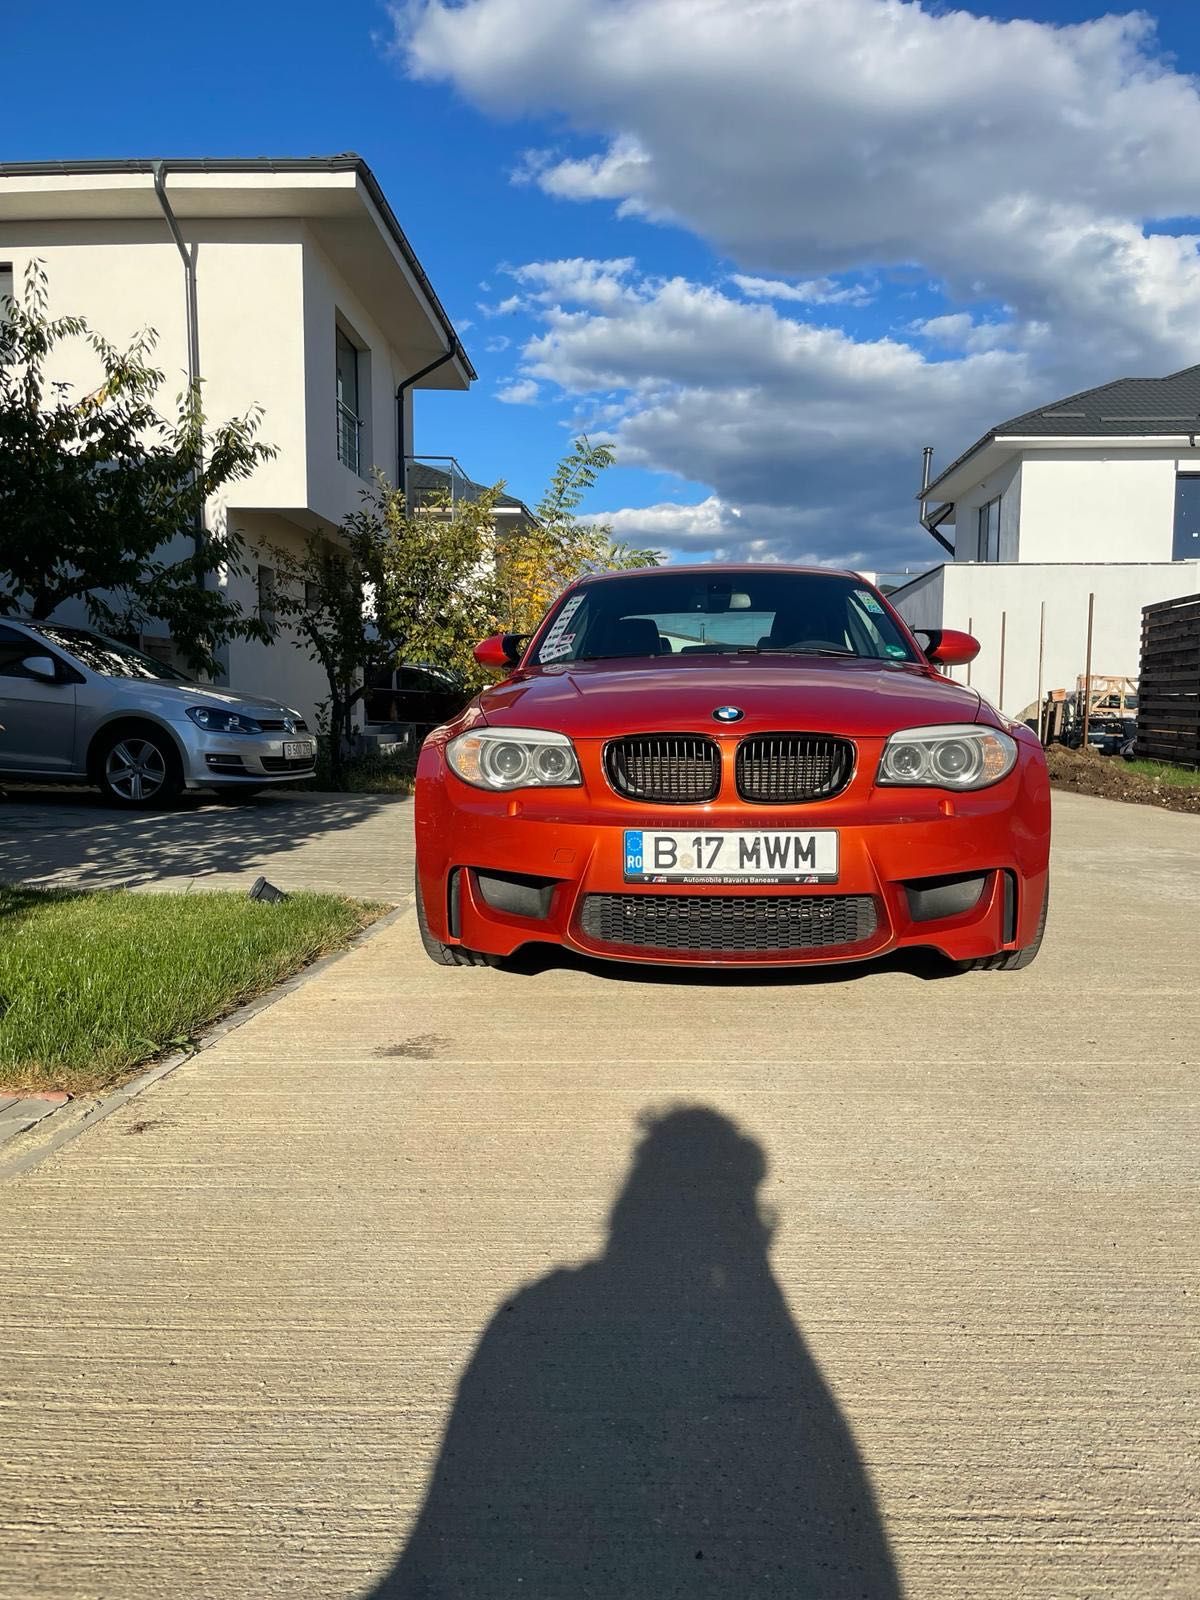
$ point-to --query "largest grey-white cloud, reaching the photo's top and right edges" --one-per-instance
(1015, 161)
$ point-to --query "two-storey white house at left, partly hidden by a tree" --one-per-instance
(284, 284)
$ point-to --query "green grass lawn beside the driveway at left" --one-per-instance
(95, 985)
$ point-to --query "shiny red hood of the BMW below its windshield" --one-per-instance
(604, 698)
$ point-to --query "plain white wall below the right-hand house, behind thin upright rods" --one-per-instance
(983, 599)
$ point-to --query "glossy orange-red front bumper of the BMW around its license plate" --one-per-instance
(570, 846)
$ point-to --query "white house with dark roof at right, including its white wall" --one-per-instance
(1095, 495)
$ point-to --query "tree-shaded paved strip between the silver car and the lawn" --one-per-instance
(342, 844)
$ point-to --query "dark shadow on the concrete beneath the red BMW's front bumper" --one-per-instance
(537, 961)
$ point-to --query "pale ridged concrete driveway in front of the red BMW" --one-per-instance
(578, 1281)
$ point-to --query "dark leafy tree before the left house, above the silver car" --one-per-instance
(100, 492)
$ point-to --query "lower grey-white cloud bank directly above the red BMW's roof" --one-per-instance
(809, 438)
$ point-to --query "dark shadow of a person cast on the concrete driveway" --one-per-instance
(650, 1425)
